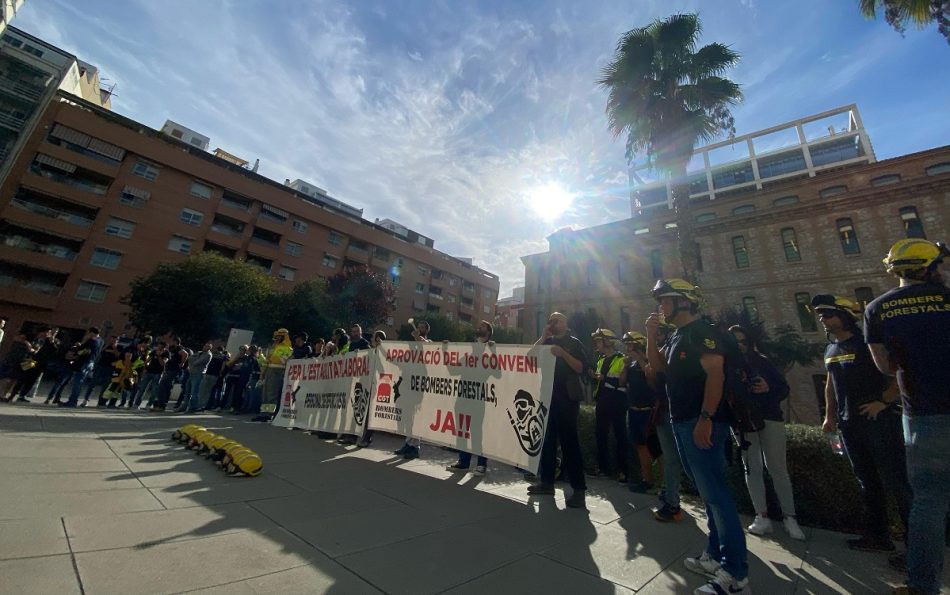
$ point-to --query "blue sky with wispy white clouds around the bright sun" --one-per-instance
(448, 116)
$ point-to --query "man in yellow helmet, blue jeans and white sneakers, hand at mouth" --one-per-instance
(694, 363)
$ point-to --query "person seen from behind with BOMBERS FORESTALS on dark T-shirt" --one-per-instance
(908, 332)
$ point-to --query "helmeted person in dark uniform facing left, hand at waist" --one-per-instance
(861, 403)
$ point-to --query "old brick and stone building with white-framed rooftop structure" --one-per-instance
(766, 244)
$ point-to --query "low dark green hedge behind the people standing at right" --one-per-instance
(827, 494)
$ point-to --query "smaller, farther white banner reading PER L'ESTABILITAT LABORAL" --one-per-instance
(328, 395)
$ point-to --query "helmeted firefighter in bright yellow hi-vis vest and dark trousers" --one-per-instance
(611, 405)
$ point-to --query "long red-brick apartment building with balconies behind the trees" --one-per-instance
(95, 199)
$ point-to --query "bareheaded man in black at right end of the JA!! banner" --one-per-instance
(566, 396)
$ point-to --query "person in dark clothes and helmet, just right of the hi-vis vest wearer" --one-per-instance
(639, 381)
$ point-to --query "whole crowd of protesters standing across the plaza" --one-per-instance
(667, 395)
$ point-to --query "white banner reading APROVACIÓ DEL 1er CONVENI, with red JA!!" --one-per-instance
(490, 400)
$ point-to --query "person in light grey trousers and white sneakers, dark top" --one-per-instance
(766, 447)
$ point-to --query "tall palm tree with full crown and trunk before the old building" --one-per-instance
(665, 95)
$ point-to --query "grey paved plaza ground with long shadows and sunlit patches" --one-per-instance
(102, 502)
